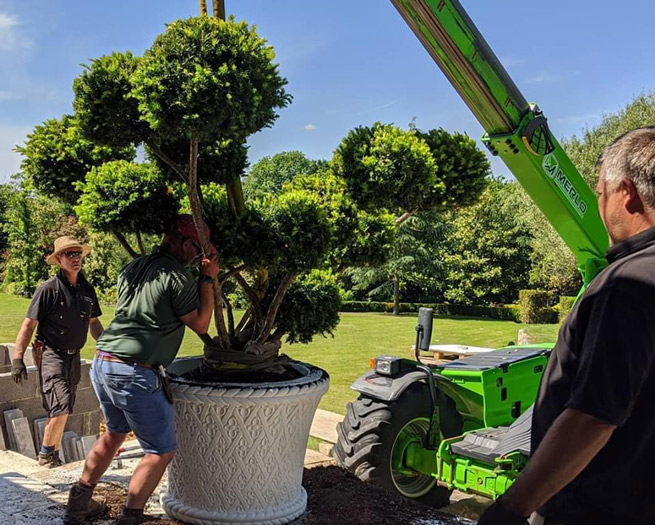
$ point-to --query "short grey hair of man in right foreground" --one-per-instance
(632, 156)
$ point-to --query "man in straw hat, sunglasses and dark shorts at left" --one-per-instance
(64, 308)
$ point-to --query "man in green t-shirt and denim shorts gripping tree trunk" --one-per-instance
(157, 298)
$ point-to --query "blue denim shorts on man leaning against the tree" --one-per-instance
(132, 398)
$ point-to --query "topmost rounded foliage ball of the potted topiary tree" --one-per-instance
(209, 78)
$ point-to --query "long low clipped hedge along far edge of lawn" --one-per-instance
(505, 313)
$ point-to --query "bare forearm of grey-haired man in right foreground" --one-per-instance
(570, 444)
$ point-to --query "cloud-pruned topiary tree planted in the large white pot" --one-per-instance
(192, 100)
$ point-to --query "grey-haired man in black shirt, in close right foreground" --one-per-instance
(593, 429)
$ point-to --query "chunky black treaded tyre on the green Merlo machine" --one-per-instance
(373, 431)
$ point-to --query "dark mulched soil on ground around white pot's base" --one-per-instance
(335, 497)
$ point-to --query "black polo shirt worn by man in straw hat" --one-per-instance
(63, 311)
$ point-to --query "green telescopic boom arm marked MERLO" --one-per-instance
(514, 129)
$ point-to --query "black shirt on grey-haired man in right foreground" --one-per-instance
(603, 365)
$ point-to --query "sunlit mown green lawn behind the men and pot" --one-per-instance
(345, 356)
